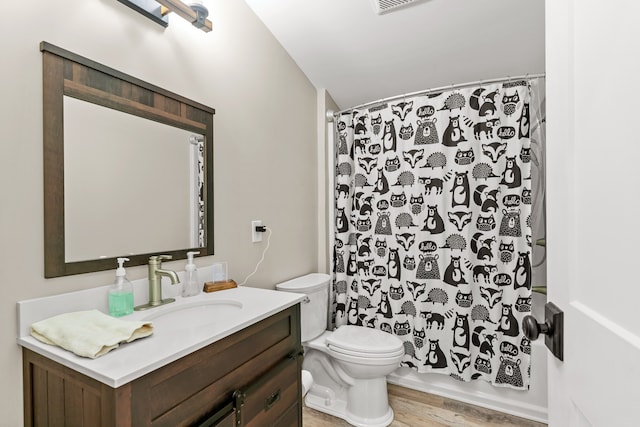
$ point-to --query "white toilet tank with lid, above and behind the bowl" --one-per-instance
(314, 312)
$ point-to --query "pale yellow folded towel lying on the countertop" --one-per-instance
(89, 333)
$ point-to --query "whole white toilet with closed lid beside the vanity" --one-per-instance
(349, 365)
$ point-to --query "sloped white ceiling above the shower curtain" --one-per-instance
(359, 56)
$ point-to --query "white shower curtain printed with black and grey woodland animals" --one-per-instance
(433, 233)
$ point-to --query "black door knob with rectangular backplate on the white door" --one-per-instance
(552, 329)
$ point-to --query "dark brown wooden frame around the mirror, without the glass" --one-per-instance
(65, 73)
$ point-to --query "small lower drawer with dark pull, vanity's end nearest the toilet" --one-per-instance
(265, 401)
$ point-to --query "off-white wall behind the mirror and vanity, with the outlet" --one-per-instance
(265, 141)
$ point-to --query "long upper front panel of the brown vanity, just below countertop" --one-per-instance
(183, 390)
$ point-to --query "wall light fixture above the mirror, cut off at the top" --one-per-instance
(157, 10)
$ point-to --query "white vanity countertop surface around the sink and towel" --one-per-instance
(165, 345)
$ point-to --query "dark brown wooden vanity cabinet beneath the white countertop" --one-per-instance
(250, 378)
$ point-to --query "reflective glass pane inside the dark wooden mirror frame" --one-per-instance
(131, 184)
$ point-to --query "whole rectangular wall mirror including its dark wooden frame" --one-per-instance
(128, 168)
